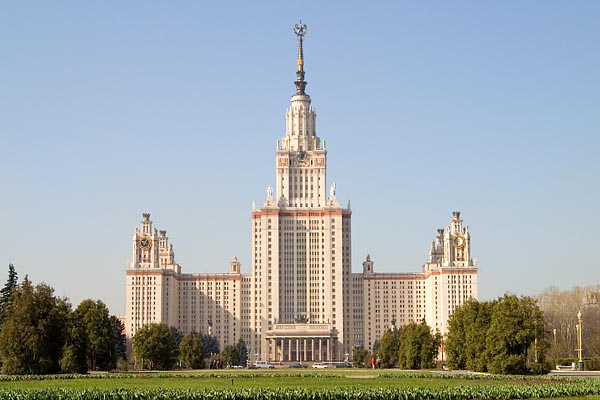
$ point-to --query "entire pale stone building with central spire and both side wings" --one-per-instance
(301, 301)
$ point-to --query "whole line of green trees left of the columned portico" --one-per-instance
(40, 333)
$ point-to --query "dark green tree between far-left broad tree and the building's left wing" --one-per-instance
(100, 335)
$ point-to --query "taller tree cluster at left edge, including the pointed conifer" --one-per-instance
(40, 333)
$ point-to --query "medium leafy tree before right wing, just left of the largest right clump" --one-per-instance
(418, 346)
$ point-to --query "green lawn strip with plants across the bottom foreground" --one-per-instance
(298, 384)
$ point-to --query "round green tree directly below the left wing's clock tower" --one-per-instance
(154, 347)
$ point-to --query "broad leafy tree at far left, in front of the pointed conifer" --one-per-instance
(34, 333)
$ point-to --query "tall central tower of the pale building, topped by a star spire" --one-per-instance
(301, 245)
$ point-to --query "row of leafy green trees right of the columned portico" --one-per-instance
(503, 336)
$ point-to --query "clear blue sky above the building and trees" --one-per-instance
(111, 109)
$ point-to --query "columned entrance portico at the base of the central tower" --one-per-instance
(302, 343)
